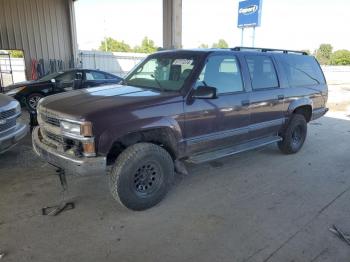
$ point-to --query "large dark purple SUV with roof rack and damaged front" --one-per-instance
(183, 105)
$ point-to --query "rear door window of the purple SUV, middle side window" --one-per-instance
(262, 72)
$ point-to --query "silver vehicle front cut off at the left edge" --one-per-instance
(11, 130)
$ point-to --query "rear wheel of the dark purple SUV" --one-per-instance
(294, 135)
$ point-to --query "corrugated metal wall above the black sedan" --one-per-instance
(43, 29)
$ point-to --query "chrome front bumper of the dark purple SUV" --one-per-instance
(71, 164)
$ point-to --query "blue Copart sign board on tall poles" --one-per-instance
(249, 13)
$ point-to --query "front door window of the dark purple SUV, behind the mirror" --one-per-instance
(221, 72)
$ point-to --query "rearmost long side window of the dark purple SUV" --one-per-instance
(302, 70)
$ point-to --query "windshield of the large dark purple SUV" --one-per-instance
(162, 73)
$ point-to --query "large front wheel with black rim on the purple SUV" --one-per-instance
(141, 176)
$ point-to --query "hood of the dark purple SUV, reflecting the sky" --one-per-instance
(81, 104)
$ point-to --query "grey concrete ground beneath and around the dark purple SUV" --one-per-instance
(257, 206)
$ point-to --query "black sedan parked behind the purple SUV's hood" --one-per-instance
(30, 92)
